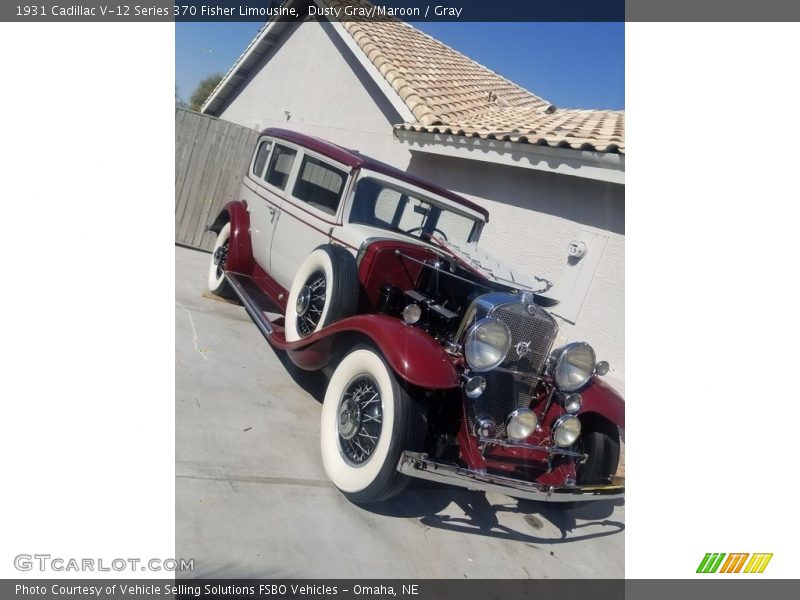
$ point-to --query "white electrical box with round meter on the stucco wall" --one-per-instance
(582, 256)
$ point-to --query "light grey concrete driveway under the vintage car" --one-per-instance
(252, 499)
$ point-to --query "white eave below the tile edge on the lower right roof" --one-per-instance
(601, 166)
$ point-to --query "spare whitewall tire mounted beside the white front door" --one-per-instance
(325, 290)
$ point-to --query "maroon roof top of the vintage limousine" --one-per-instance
(356, 160)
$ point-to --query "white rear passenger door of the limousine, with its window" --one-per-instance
(263, 189)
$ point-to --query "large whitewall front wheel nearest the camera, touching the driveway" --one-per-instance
(368, 420)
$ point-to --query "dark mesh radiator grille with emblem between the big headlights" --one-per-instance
(532, 333)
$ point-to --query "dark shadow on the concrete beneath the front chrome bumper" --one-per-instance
(429, 502)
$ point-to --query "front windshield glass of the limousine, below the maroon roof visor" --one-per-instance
(381, 205)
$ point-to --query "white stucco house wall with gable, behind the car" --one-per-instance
(534, 214)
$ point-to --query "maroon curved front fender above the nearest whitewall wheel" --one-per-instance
(414, 355)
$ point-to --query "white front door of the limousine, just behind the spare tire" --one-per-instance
(310, 213)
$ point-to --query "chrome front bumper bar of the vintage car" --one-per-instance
(415, 464)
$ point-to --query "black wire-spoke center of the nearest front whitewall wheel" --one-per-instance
(360, 420)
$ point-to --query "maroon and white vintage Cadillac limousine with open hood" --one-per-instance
(439, 358)
